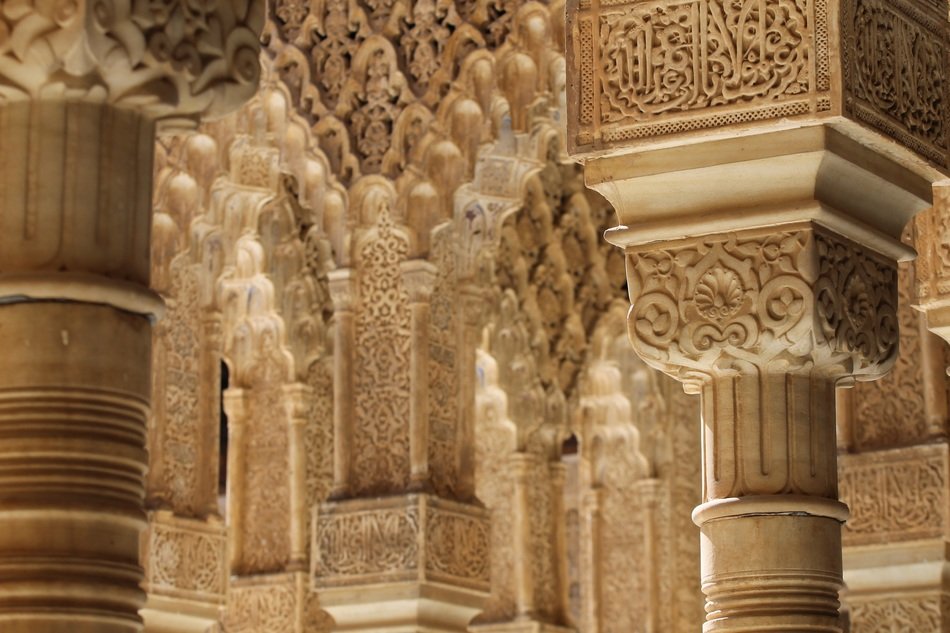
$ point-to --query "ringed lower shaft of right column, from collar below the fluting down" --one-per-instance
(771, 564)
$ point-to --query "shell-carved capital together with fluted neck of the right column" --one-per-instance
(748, 316)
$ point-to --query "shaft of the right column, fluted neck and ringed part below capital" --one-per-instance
(769, 465)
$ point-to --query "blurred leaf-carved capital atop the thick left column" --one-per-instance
(167, 59)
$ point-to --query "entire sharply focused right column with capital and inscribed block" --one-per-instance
(762, 180)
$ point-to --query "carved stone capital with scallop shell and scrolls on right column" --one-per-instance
(801, 299)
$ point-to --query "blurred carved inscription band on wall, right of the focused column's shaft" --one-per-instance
(897, 495)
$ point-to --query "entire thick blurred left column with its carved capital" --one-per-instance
(84, 86)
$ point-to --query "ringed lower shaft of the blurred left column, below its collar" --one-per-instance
(72, 466)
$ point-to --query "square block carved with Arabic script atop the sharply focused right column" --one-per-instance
(642, 70)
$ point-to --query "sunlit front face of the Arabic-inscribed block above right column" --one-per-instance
(654, 68)
